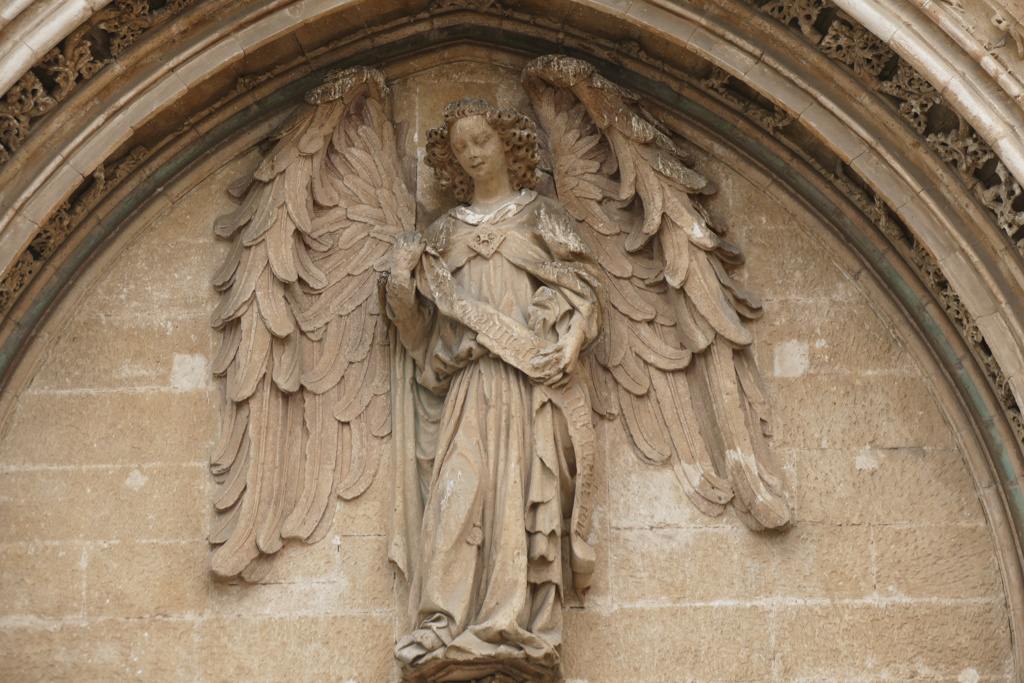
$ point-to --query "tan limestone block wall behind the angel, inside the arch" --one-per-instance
(889, 574)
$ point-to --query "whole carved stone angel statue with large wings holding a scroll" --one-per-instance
(479, 353)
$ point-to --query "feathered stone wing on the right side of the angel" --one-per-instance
(674, 360)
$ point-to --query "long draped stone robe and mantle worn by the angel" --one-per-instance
(485, 460)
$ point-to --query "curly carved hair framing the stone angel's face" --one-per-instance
(519, 133)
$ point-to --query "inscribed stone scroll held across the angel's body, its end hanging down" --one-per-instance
(518, 346)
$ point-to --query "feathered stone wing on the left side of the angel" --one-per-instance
(305, 349)
